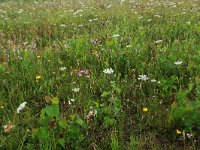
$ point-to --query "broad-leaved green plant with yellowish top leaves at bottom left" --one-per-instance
(57, 132)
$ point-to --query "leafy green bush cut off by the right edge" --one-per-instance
(185, 112)
